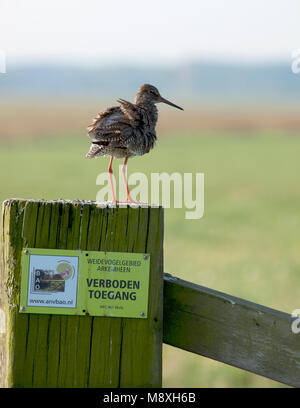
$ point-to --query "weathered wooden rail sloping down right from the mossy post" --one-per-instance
(231, 330)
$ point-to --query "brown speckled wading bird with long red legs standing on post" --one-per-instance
(126, 130)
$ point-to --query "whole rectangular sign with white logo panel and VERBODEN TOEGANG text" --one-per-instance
(113, 284)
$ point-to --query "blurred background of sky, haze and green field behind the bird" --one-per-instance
(230, 65)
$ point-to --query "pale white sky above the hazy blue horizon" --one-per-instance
(97, 32)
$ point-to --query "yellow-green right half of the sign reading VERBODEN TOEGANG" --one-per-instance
(116, 283)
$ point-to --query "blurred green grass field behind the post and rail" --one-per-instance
(247, 244)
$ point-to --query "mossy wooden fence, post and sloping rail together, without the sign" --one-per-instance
(85, 351)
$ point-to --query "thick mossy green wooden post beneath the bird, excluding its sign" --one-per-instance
(80, 351)
